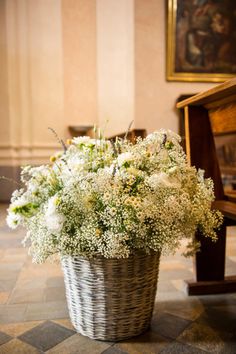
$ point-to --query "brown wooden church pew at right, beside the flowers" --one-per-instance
(207, 114)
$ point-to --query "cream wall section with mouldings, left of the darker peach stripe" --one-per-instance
(34, 82)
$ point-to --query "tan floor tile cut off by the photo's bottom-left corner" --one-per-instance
(16, 346)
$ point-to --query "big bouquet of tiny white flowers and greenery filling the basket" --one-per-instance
(111, 199)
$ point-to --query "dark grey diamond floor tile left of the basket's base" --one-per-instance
(46, 335)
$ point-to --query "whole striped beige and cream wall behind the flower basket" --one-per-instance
(81, 62)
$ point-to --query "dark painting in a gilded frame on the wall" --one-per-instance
(201, 40)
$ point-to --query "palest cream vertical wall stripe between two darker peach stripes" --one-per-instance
(115, 64)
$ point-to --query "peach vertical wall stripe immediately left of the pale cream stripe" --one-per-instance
(79, 60)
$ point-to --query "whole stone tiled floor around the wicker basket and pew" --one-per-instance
(34, 316)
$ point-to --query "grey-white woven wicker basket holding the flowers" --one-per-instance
(111, 299)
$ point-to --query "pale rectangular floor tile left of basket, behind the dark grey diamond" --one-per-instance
(47, 311)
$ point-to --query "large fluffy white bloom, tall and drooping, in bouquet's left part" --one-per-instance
(54, 220)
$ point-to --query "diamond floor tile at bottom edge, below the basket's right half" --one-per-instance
(147, 343)
